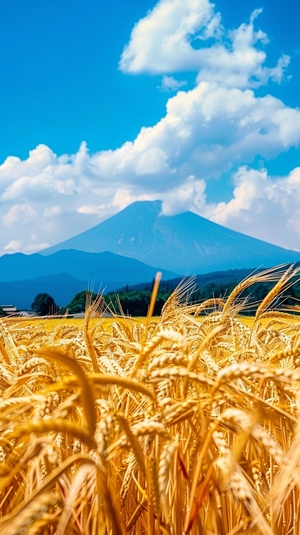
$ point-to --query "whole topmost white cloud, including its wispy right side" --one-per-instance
(172, 38)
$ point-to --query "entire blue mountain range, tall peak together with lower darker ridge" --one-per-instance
(128, 249)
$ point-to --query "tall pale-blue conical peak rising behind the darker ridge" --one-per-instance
(184, 243)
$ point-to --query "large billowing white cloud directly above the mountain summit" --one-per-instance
(205, 132)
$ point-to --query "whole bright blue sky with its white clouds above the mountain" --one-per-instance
(191, 102)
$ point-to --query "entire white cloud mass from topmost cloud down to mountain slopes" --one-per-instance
(214, 130)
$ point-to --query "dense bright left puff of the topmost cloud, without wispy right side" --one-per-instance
(159, 42)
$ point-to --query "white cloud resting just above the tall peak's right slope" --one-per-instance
(263, 207)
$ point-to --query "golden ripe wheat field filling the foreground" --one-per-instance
(189, 424)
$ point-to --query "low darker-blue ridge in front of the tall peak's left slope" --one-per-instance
(65, 273)
